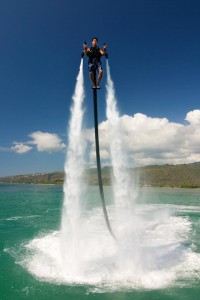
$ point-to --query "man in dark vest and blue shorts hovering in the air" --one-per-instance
(94, 54)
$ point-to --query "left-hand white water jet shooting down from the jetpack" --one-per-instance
(74, 168)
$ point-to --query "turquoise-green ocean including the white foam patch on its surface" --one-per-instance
(167, 267)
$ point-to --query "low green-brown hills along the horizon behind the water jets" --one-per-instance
(184, 176)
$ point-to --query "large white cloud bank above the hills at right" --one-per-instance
(148, 140)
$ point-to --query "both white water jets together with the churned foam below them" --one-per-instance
(89, 255)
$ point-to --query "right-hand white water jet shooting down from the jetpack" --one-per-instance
(127, 226)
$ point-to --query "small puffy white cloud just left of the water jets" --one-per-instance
(45, 141)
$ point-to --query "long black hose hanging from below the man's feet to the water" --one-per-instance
(99, 164)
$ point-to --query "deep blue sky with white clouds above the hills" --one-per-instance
(154, 59)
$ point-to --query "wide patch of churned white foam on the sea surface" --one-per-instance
(164, 247)
